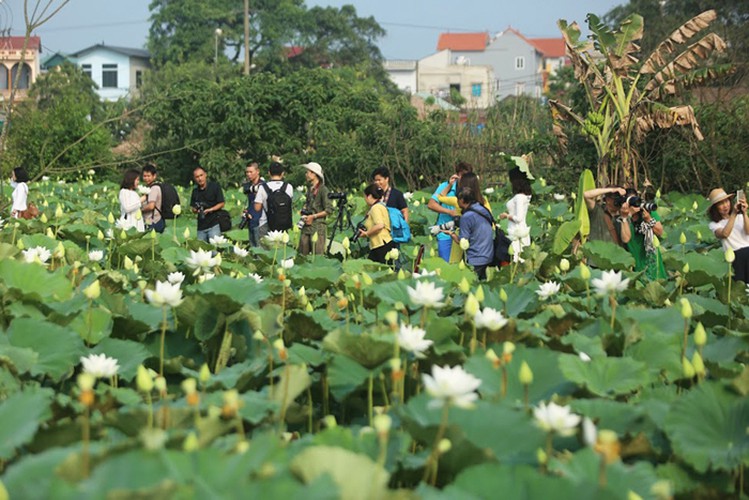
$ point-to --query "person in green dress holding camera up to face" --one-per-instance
(639, 224)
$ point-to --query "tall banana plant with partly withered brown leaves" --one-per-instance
(626, 97)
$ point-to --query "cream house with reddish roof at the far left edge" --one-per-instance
(13, 59)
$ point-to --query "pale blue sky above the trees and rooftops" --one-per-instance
(412, 26)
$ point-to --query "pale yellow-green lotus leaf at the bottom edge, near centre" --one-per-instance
(357, 476)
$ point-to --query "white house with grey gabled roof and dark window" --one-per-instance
(117, 71)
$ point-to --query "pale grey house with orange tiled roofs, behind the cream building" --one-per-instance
(520, 65)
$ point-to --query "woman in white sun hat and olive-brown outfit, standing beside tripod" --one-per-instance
(317, 206)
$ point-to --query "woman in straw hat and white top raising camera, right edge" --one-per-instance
(730, 224)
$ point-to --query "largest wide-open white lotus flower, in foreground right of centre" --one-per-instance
(452, 386)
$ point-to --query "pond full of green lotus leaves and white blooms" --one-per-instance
(157, 366)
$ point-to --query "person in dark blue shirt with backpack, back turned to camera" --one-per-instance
(475, 226)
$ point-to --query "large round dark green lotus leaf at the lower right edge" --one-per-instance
(708, 428)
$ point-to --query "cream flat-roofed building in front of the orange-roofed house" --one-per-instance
(440, 74)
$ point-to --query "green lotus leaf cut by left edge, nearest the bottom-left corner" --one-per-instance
(20, 416)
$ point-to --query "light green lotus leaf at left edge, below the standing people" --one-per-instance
(34, 281)
